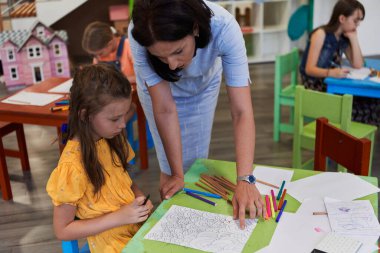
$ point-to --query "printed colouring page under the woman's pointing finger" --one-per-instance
(201, 230)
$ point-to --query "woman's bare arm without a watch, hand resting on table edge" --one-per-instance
(166, 118)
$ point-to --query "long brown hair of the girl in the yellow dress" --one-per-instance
(94, 87)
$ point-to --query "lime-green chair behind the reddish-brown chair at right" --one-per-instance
(337, 109)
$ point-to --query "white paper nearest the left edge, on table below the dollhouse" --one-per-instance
(32, 98)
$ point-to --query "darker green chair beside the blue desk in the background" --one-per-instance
(286, 64)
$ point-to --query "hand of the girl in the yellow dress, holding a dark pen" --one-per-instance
(134, 212)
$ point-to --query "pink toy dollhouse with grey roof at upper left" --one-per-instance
(31, 56)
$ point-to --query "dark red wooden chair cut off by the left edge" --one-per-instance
(5, 129)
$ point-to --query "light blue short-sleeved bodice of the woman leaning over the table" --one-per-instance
(226, 49)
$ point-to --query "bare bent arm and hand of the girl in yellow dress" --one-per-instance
(66, 228)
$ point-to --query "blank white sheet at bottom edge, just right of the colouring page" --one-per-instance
(297, 233)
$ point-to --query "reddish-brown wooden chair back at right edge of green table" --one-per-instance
(343, 148)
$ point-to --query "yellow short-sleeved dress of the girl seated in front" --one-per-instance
(68, 184)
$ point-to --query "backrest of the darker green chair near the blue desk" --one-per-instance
(286, 64)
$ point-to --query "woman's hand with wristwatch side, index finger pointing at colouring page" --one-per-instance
(247, 197)
